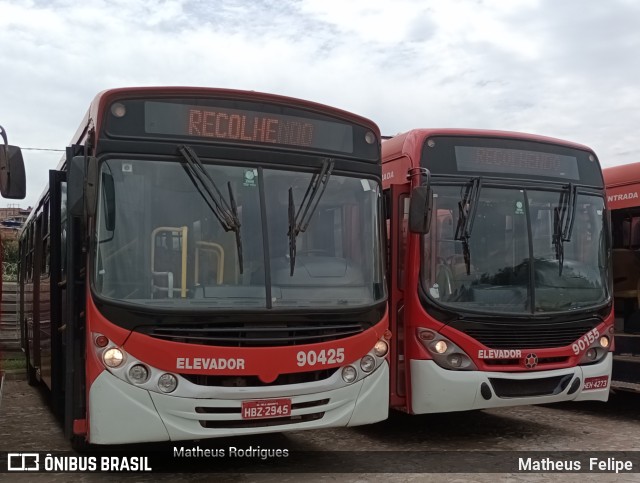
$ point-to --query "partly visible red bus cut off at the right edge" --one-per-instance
(623, 188)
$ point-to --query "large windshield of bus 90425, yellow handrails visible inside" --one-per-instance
(159, 241)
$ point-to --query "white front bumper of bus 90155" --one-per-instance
(436, 390)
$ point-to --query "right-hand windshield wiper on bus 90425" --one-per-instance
(299, 221)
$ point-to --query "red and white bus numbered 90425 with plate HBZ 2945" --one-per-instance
(208, 262)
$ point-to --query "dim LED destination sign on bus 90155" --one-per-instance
(516, 161)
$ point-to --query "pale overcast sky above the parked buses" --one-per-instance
(562, 68)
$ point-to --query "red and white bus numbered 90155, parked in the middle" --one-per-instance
(499, 266)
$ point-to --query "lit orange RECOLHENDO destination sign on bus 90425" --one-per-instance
(239, 125)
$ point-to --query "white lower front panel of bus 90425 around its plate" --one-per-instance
(123, 413)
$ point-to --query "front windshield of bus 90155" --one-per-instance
(511, 261)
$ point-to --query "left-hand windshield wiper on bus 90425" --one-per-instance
(225, 211)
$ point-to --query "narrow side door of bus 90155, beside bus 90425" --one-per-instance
(397, 214)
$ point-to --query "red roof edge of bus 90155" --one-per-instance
(411, 140)
